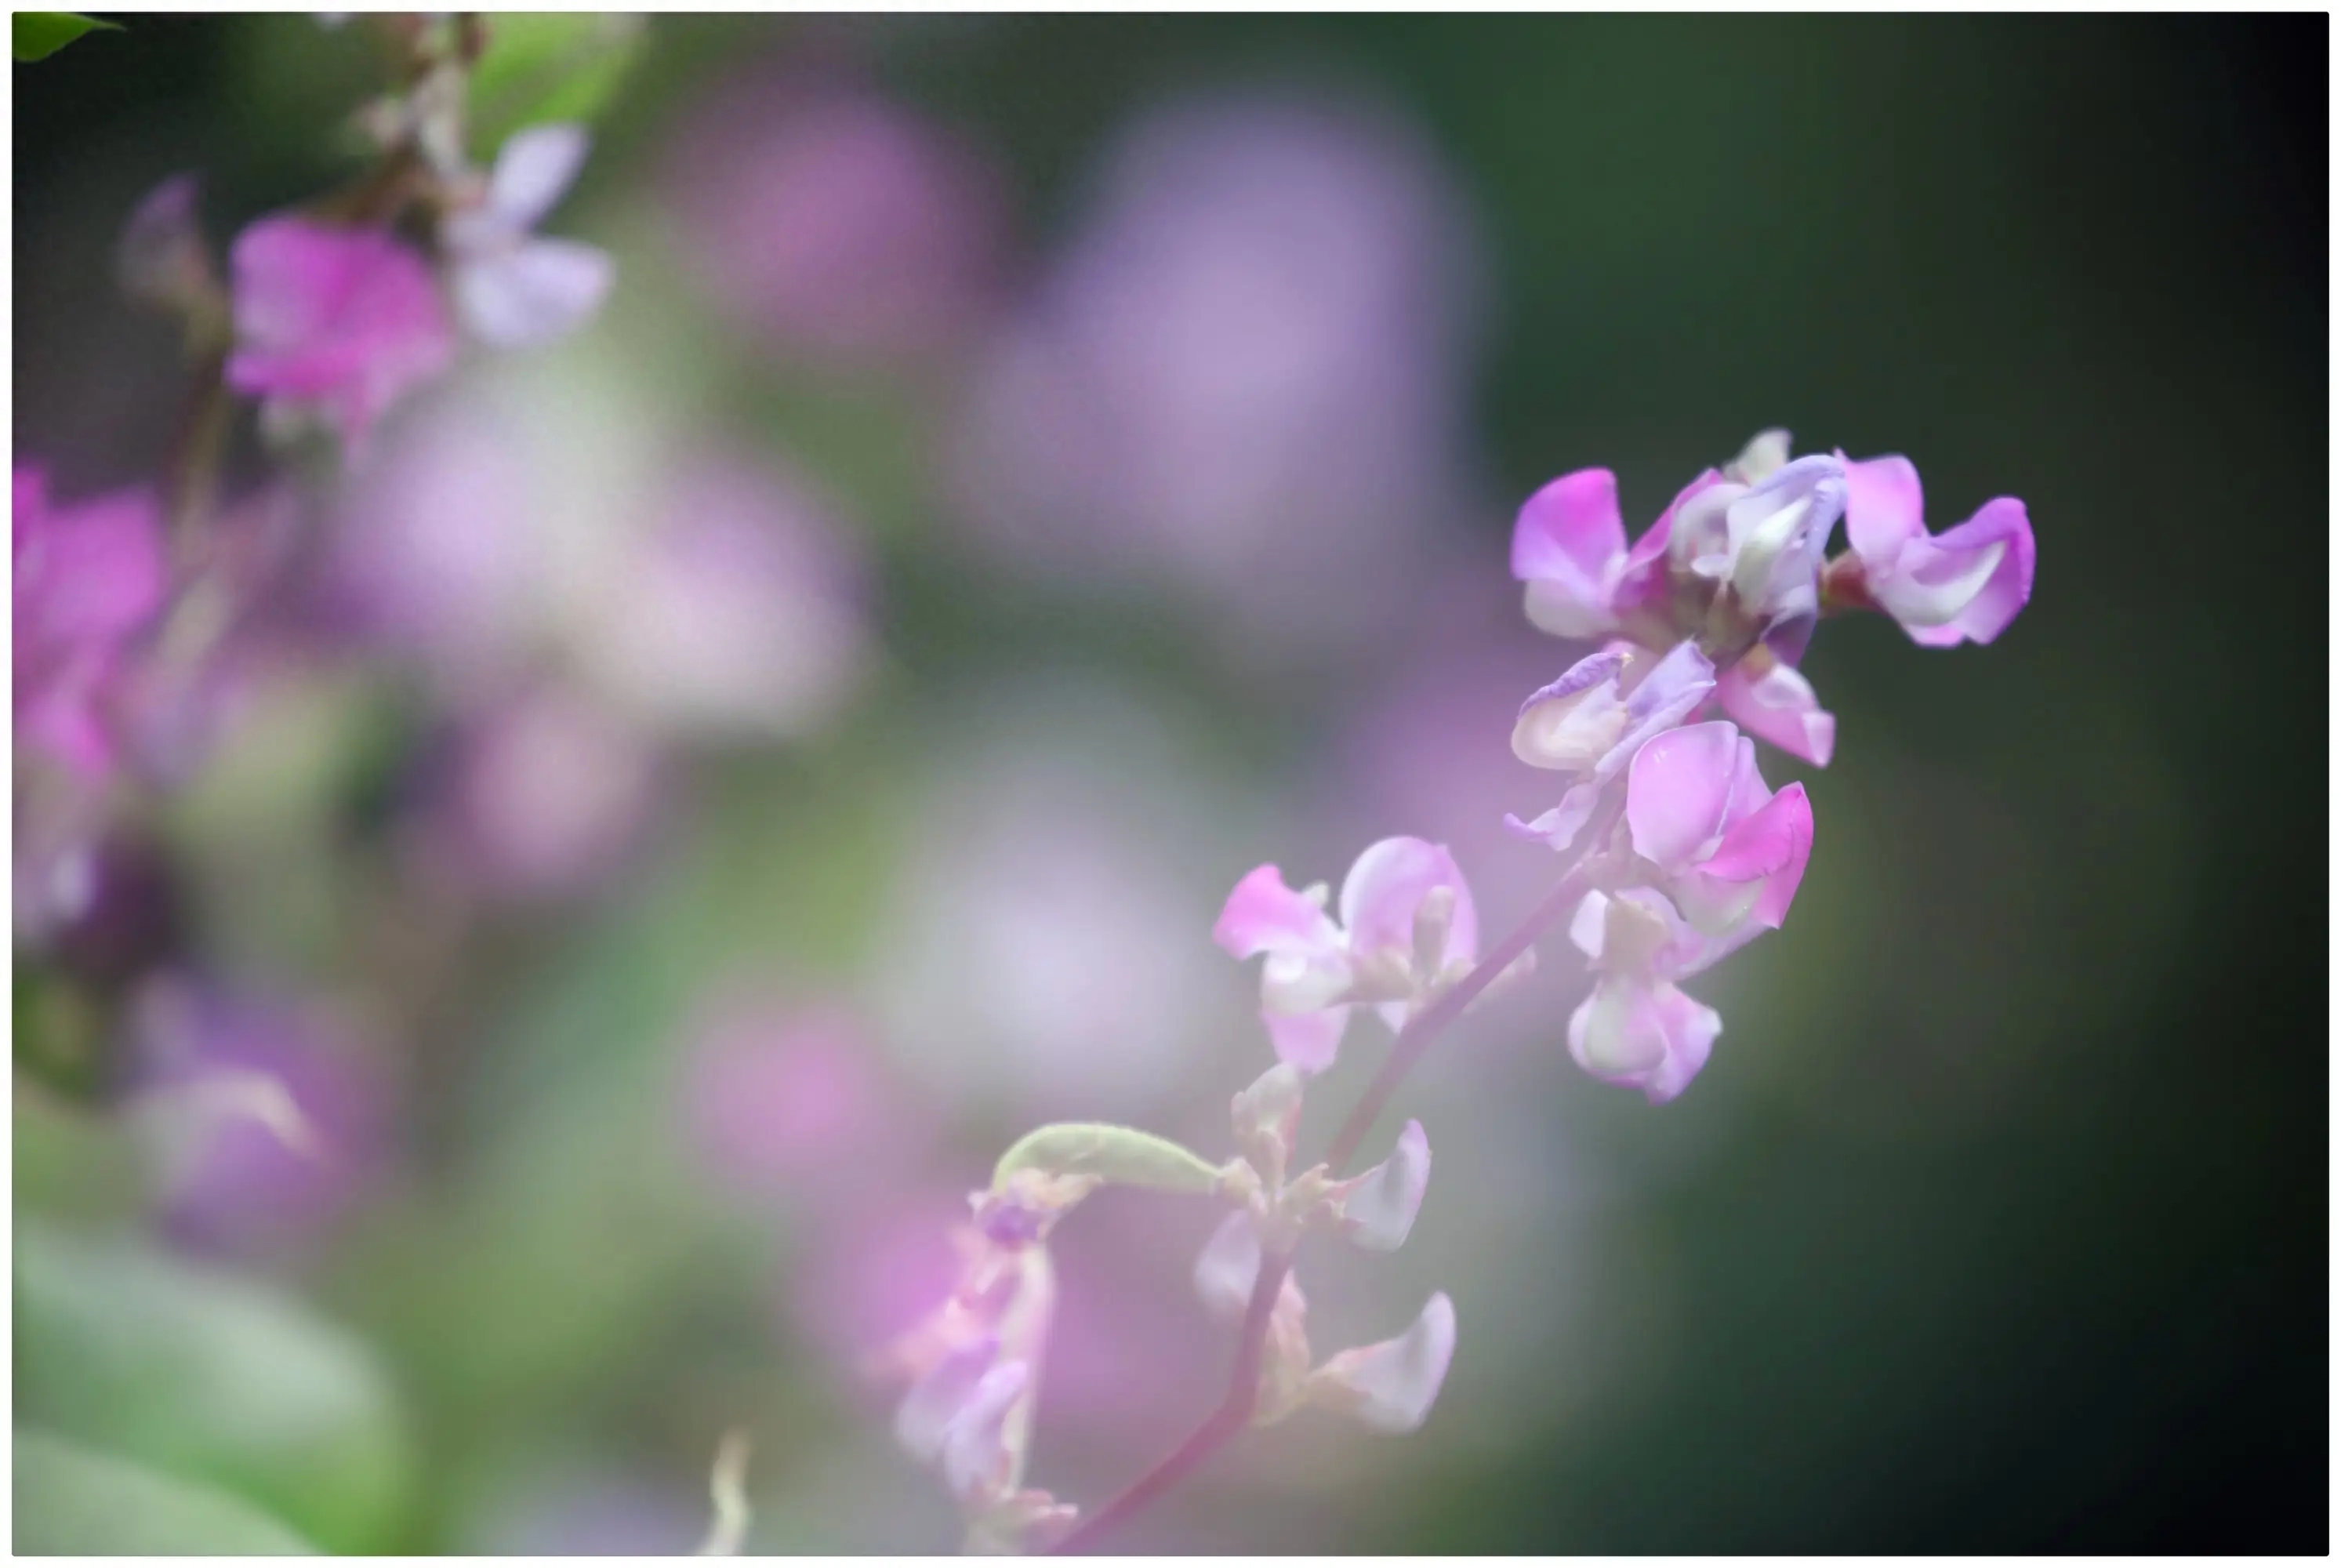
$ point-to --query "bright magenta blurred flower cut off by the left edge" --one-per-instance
(88, 582)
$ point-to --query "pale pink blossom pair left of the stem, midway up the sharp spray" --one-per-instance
(1406, 928)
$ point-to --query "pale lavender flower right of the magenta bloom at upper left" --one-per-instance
(514, 289)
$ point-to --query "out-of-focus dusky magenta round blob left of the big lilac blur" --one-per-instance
(835, 223)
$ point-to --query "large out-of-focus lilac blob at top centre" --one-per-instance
(1244, 373)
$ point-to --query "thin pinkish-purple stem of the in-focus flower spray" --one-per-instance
(1235, 1410)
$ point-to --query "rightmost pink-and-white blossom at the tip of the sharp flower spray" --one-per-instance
(1944, 589)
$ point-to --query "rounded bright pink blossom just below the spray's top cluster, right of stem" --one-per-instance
(1726, 848)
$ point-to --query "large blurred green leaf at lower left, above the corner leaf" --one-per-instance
(212, 1380)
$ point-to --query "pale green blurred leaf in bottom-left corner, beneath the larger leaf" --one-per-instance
(81, 1504)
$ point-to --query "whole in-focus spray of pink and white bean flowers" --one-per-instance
(1682, 855)
